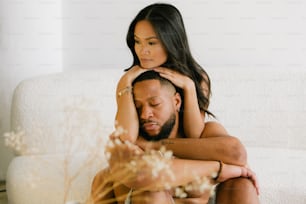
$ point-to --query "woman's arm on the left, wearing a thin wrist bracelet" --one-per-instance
(126, 116)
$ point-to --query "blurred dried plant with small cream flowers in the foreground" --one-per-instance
(158, 161)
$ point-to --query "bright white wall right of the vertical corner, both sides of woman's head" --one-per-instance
(266, 34)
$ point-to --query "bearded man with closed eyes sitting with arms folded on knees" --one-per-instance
(158, 105)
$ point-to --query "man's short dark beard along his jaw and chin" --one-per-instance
(164, 132)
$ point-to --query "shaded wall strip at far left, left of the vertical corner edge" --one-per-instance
(30, 45)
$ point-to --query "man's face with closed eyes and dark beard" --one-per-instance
(157, 109)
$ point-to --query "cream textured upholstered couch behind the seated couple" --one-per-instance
(67, 118)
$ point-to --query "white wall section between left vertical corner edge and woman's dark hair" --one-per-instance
(94, 33)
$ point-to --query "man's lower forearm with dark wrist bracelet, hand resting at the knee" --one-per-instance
(186, 171)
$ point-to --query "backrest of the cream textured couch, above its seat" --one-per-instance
(70, 110)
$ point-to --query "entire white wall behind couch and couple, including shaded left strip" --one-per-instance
(43, 36)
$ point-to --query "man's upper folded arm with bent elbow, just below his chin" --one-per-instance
(214, 144)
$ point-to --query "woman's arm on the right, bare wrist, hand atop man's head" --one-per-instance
(193, 119)
